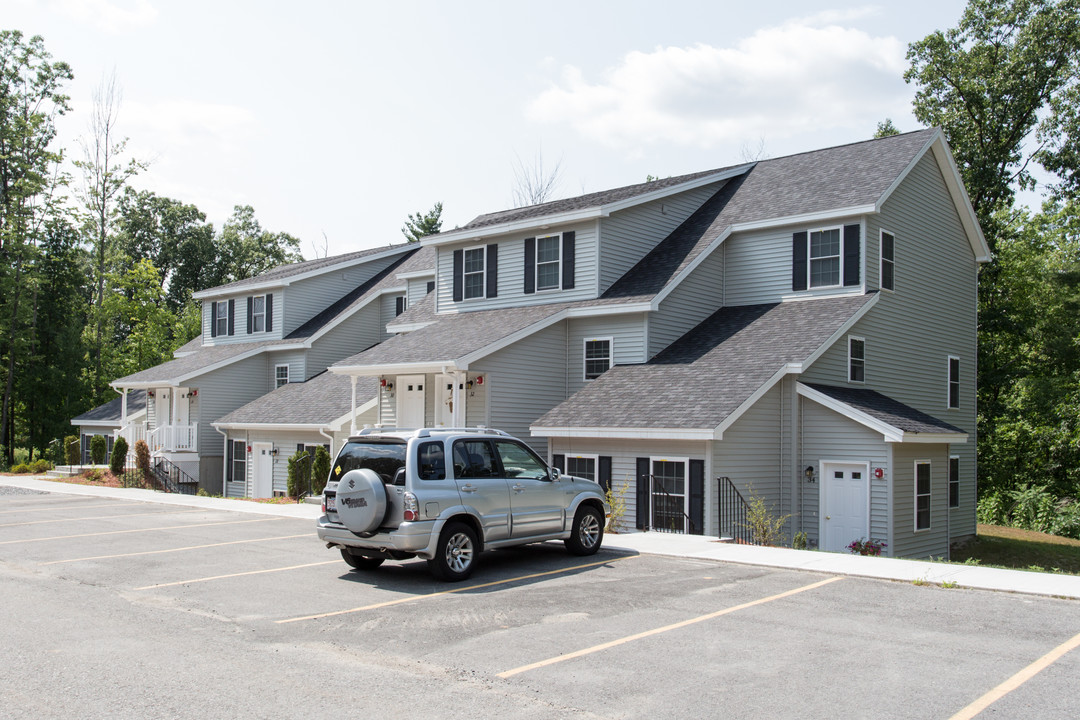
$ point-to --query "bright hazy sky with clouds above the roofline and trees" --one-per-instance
(336, 120)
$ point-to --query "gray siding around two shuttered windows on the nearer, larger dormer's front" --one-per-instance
(512, 273)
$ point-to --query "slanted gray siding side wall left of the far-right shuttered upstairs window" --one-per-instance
(696, 298)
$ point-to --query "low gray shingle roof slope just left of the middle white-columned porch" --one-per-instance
(321, 400)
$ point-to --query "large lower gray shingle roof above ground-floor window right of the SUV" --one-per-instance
(705, 376)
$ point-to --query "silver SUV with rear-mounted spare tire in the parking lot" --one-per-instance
(447, 495)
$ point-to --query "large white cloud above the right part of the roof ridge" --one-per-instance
(806, 75)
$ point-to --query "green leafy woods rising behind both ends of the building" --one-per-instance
(97, 277)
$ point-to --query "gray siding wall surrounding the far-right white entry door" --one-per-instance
(828, 437)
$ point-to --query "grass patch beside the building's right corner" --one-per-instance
(1021, 550)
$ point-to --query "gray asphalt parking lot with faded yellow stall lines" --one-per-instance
(128, 609)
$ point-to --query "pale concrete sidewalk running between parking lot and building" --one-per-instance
(663, 544)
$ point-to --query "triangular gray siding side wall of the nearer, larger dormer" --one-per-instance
(629, 236)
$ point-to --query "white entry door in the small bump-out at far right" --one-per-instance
(845, 507)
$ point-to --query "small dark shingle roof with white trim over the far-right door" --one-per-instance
(896, 422)
